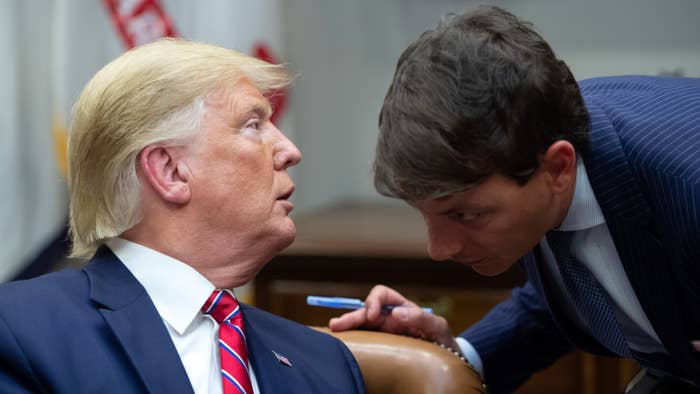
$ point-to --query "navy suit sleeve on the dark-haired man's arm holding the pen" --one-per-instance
(516, 339)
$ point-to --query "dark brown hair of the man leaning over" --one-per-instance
(481, 94)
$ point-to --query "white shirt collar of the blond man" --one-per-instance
(177, 290)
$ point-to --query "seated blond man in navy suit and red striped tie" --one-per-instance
(179, 192)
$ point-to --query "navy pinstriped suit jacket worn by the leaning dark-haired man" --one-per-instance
(644, 166)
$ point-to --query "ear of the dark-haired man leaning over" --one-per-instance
(559, 162)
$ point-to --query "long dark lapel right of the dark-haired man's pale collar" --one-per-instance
(629, 219)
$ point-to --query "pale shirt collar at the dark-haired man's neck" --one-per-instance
(584, 211)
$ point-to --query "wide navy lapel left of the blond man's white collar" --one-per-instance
(135, 322)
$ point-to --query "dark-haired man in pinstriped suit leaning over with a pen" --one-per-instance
(593, 187)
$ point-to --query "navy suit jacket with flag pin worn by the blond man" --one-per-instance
(96, 330)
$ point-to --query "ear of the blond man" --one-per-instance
(167, 174)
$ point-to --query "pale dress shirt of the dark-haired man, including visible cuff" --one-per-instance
(593, 246)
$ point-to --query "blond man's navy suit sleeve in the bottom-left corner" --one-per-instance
(16, 375)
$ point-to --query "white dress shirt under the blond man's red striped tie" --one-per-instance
(178, 292)
